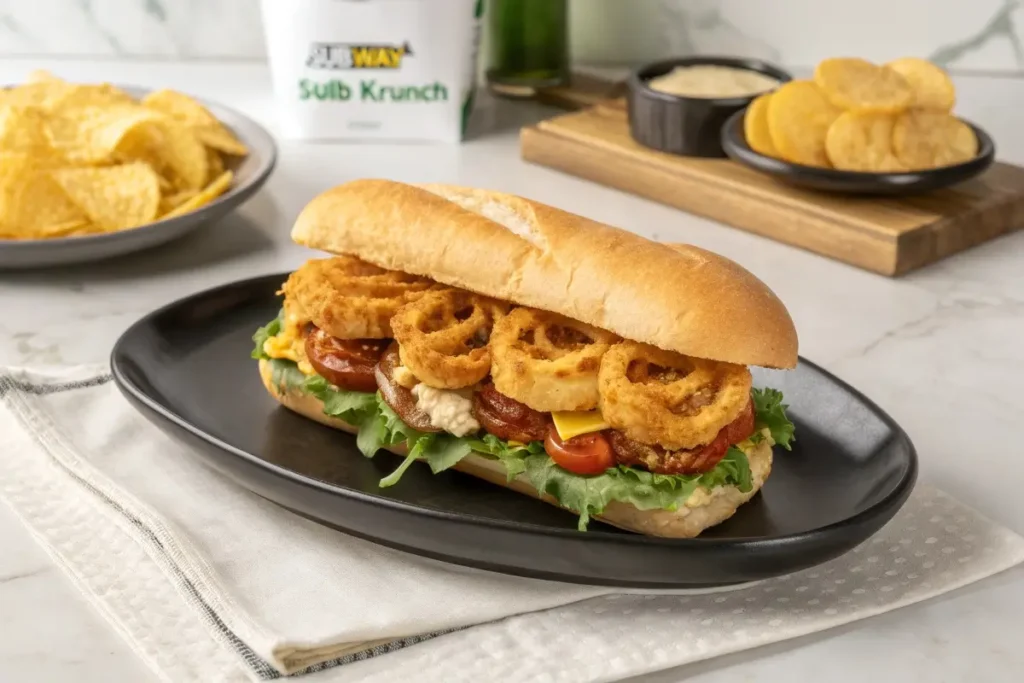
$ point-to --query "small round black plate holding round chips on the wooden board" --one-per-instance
(856, 183)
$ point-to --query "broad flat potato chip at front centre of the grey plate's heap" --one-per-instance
(115, 198)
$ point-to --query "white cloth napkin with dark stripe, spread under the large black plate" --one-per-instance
(208, 582)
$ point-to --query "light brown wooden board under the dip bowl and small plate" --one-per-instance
(887, 236)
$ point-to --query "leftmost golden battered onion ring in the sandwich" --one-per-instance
(352, 300)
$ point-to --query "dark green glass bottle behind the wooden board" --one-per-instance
(529, 46)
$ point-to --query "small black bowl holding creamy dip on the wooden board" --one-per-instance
(684, 125)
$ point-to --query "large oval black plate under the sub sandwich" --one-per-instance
(187, 368)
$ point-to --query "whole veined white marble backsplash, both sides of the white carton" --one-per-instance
(977, 35)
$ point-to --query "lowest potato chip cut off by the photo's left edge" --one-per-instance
(30, 200)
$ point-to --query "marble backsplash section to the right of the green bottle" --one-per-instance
(983, 35)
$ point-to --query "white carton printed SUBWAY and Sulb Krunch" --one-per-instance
(388, 70)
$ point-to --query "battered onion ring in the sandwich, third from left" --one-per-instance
(546, 361)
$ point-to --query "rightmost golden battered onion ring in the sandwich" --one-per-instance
(669, 400)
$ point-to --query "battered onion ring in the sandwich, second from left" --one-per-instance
(443, 337)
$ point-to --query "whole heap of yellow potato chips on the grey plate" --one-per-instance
(81, 159)
